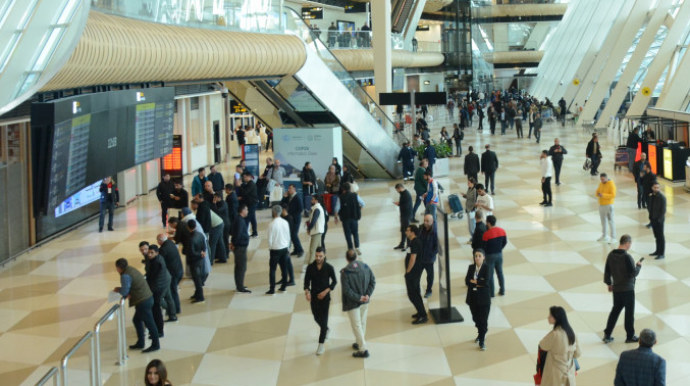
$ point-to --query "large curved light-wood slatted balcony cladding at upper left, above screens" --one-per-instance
(116, 50)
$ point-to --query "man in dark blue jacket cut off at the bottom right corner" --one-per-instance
(641, 367)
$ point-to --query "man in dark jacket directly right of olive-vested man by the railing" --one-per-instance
(158, 278)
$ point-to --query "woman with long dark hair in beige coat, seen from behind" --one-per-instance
(561, 348)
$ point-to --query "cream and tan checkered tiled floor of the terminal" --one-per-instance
(52, 295)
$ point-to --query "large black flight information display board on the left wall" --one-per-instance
(85, 138)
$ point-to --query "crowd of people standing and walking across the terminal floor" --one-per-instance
(220, 219)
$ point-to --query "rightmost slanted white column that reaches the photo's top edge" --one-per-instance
(631, 69)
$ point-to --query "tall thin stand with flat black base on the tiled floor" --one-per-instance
(446, 313)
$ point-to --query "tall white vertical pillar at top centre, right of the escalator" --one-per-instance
(381, 31)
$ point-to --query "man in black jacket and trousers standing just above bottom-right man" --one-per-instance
(619, 275)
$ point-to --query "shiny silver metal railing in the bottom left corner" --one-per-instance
(59, 375)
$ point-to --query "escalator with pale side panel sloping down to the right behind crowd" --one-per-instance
(323, 93)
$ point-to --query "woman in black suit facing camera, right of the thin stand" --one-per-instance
(478, 295)
